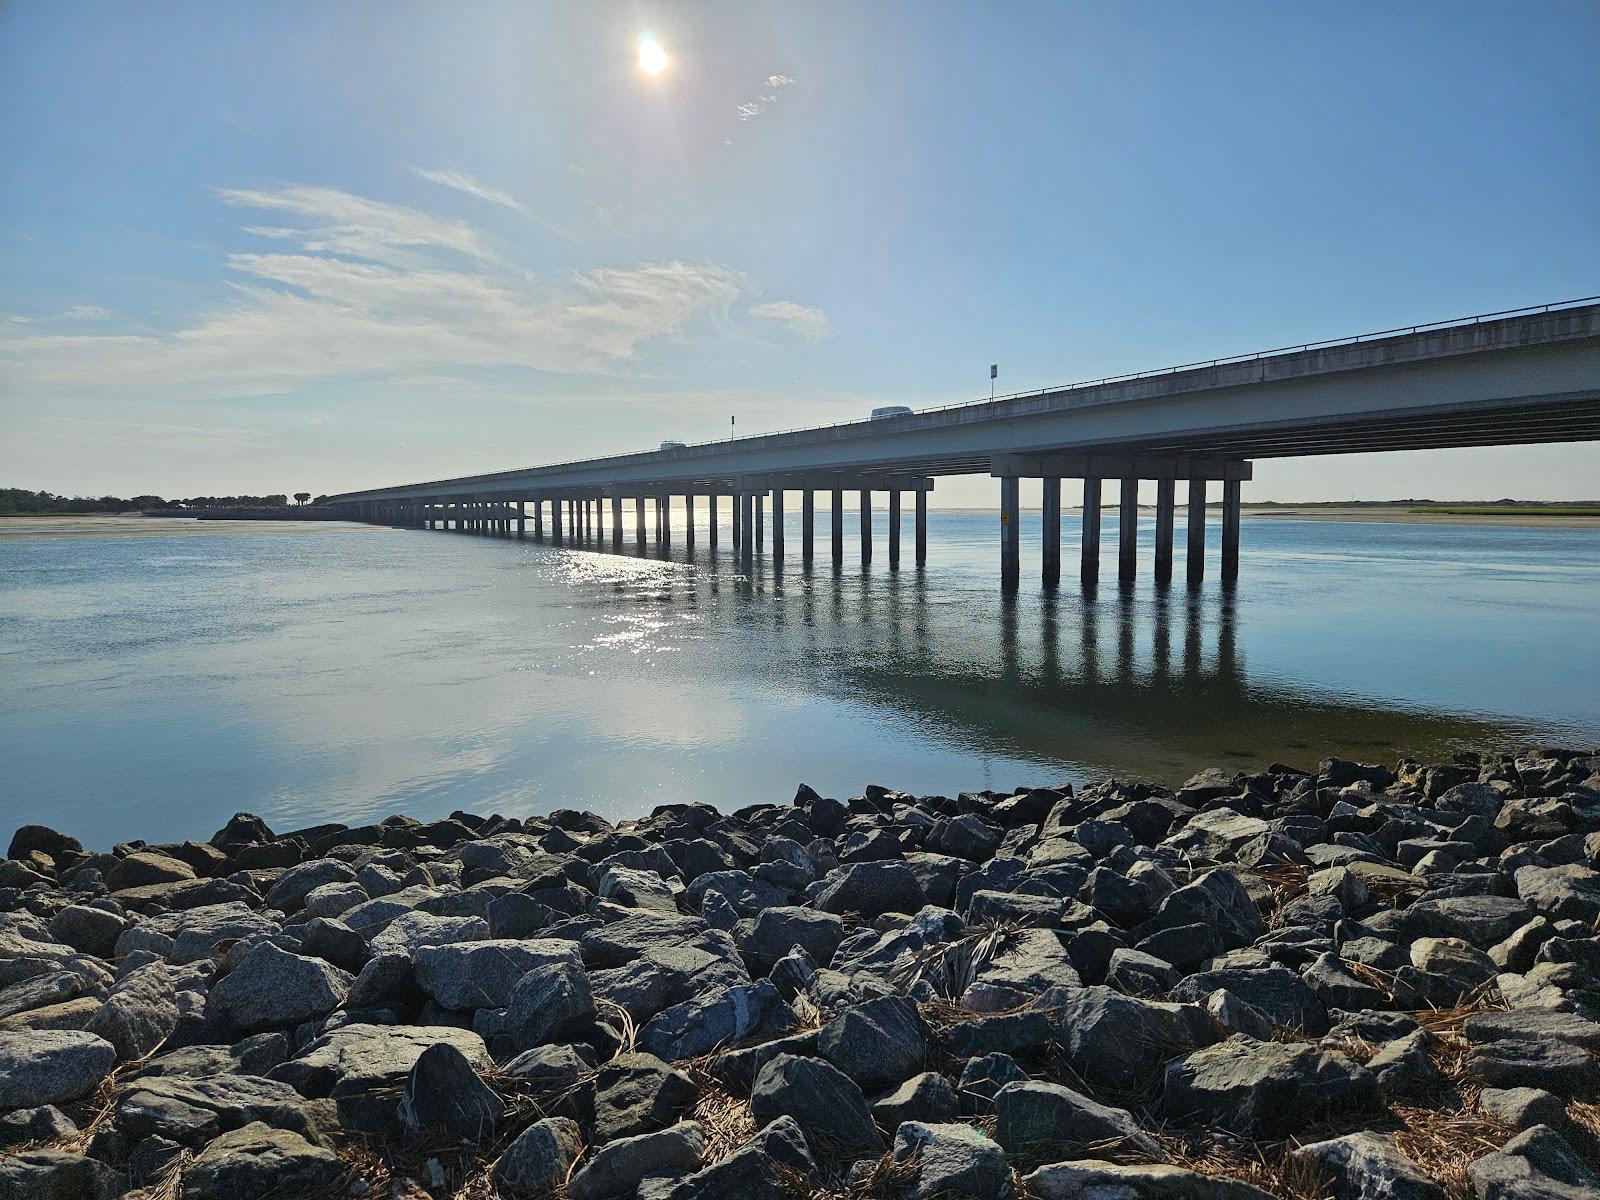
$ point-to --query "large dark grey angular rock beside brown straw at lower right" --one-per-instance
(1263, 1089)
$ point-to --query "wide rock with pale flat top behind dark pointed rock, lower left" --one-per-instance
(366, 1068)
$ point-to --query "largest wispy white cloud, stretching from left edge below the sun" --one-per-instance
(375, 290)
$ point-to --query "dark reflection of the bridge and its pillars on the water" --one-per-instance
(1146, 682)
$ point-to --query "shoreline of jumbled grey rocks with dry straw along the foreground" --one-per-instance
(1358, 983)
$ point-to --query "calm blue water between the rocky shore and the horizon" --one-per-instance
(153, 686)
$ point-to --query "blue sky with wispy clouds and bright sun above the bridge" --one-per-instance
(286, 247)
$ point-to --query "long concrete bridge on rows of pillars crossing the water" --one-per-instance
(1506, 378)
